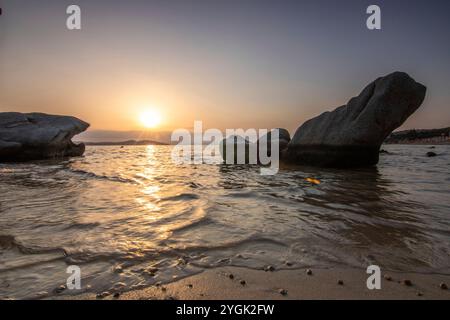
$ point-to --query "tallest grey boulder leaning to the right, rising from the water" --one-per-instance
(351, 135)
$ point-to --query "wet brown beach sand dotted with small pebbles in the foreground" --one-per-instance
(218, 284)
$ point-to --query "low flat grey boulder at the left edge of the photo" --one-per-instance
(34, 136)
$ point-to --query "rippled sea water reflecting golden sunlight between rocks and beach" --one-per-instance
(123, 213)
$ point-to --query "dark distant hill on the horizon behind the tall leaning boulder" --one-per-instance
(420, 136)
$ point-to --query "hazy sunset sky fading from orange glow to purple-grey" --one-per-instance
(252, 63)
